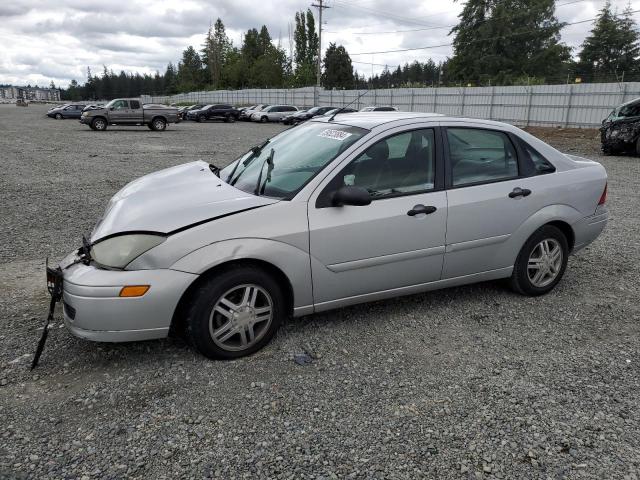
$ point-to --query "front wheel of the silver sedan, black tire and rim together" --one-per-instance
(235, 313)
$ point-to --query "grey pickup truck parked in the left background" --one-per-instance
(130, 111)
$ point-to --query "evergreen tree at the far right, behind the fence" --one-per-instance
(612, 46)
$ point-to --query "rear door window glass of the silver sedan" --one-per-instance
(478, 156)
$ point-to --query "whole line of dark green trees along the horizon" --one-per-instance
(496, 42)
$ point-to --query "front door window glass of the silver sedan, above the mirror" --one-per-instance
(400, 164)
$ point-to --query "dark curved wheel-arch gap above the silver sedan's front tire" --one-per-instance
(178, 319)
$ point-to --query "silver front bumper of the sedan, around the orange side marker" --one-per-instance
(94, 310)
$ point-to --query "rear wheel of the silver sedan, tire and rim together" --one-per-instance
(541, 262)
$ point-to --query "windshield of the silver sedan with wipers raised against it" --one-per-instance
(294, 157)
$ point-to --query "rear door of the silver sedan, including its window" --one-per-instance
(490, 194)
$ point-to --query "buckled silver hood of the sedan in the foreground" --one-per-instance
(172, 199)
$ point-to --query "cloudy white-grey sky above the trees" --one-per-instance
(56, 40)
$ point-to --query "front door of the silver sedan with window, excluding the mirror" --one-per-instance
(398, 240)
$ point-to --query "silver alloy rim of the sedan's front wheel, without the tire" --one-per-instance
(241, 317)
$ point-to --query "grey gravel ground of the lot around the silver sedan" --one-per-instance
(471, 382)
